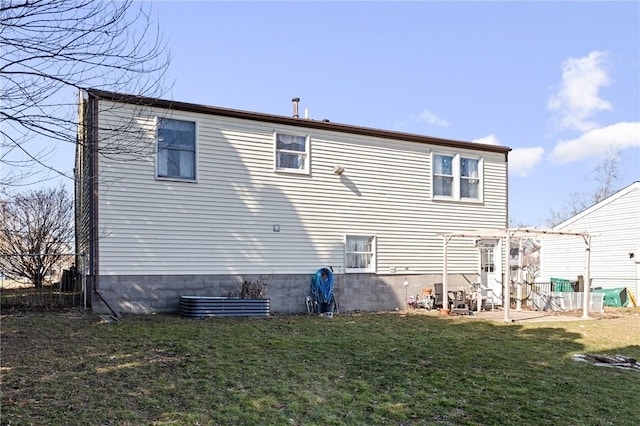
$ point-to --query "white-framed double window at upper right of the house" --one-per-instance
(456, 177)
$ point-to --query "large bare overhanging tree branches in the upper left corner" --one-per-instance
(52, 48)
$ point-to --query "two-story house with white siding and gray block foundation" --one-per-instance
(175, 199)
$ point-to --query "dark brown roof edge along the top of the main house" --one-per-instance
(291, 121)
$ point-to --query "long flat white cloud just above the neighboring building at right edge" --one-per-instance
(596, 143)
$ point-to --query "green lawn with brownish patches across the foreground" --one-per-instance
(73, 368)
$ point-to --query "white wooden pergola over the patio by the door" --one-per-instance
(507, 234)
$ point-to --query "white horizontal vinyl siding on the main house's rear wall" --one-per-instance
(225, 224)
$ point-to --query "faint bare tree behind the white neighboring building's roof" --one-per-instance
(606, 176)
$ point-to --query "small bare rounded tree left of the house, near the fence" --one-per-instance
(36, 227)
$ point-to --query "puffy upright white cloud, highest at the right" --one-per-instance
(577, 98)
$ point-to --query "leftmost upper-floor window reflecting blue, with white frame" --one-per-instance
(176, 149)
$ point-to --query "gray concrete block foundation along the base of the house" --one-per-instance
(287, 293)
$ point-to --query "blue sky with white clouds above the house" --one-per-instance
(558, 82)
